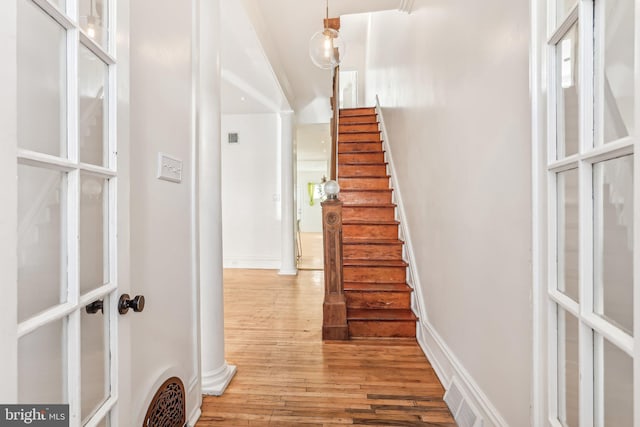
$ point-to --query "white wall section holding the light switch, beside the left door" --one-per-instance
(161, 260)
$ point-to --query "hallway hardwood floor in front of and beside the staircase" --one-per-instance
(288, 377)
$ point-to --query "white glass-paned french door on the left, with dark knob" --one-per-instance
(67, 182)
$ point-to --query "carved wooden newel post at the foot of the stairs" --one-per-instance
(334, 309)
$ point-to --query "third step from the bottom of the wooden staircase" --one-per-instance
(375, 271)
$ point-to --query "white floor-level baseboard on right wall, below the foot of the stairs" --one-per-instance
(447, 366)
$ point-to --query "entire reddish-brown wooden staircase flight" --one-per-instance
(377, 296)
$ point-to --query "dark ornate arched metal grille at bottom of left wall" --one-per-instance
(168, 407)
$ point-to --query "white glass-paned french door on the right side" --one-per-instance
(594, 78)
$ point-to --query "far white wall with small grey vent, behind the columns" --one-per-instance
(251, 208)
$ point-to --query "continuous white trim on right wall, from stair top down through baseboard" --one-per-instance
(445, 363)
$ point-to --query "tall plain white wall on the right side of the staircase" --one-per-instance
(453, 83)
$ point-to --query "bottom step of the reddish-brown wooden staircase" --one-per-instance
(381, 323)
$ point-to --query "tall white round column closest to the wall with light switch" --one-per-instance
(216, 373)
